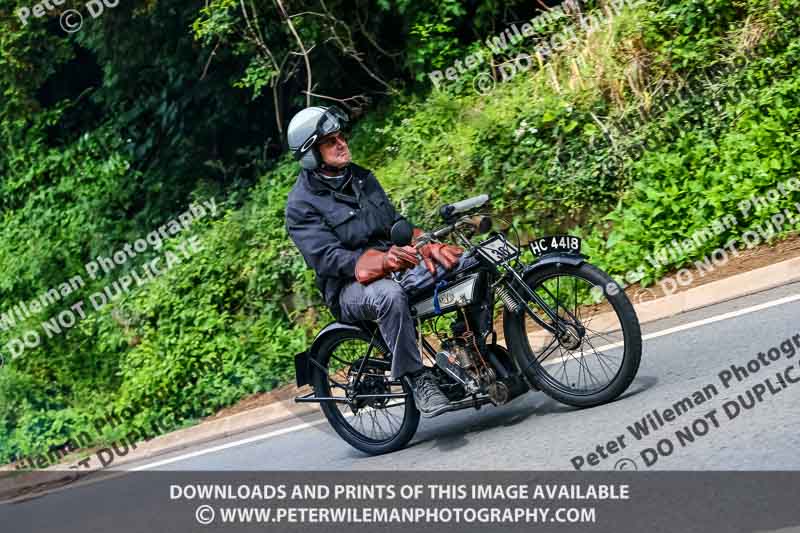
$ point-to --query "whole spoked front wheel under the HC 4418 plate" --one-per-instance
(533, 346)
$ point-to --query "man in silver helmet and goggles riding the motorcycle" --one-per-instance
(340, 218)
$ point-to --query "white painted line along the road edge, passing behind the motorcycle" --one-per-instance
(257, 438)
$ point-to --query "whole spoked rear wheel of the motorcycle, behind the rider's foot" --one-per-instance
(370, 422)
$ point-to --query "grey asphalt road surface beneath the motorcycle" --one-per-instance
(534, 432)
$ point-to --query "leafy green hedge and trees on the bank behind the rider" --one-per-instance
(109, 133)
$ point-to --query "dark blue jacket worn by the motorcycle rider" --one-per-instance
(332, 229)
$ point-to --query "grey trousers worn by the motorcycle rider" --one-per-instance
(386, 302)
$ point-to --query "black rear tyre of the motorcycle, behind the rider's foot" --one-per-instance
(395, 440)
